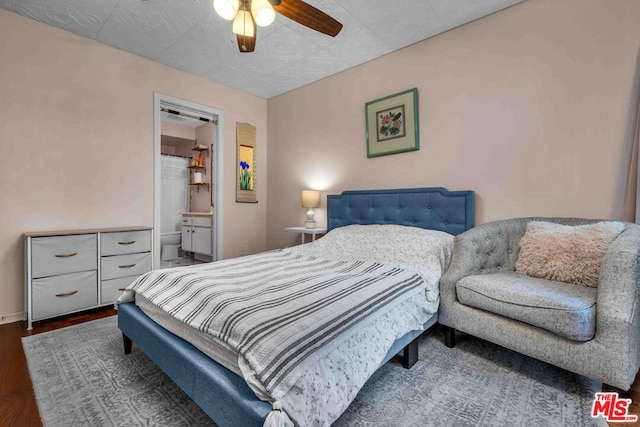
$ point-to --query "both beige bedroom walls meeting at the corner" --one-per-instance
(528, 107)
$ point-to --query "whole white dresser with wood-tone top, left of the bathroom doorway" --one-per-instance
(73, 270)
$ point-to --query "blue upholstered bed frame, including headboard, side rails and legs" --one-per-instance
(224, 396)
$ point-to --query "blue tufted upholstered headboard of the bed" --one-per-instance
(434, 208)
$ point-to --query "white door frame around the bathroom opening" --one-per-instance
(218, 177)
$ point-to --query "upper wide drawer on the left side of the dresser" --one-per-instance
(63, 254)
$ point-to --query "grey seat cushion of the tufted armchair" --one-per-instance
(568, 311)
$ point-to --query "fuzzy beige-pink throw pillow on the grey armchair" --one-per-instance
(566, 253)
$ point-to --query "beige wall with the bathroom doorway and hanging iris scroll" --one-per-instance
(76, 142)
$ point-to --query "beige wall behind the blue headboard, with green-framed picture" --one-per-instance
(527, 107)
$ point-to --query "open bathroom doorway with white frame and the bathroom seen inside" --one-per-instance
(196, 166)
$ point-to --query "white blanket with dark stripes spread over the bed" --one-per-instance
(281, 310)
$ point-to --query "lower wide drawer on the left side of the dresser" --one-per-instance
(56, 295)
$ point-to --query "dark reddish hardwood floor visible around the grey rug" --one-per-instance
(18, 406)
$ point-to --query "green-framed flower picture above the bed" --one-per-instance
(392, 124)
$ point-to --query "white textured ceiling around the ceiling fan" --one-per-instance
(190, 36)
